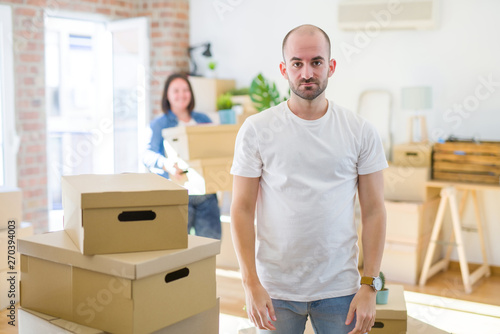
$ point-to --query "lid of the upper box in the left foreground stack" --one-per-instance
(122, 190)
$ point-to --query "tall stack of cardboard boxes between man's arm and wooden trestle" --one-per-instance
(410, 212)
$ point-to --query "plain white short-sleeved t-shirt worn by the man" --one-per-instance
(306, 245)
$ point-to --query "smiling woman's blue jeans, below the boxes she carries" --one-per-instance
(204, 216)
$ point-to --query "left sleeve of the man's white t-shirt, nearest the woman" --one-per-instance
(247, 161)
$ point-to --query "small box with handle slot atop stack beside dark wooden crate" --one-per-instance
(412, 155)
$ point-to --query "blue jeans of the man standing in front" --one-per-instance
(327, 316)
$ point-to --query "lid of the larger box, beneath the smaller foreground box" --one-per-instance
(58, 247)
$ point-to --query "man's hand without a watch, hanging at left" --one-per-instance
(259, 306)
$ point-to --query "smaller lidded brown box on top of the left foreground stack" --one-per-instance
(124, 213)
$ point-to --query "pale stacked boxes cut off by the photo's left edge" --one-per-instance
(11, 228)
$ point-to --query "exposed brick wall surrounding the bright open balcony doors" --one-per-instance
(169, 20)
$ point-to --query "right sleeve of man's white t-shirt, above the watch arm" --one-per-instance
(371, 157)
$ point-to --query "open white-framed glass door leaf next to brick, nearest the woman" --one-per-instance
(130, 92)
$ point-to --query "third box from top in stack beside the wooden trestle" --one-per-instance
(408, 221)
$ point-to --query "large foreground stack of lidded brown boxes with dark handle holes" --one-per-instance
(123, 264)
